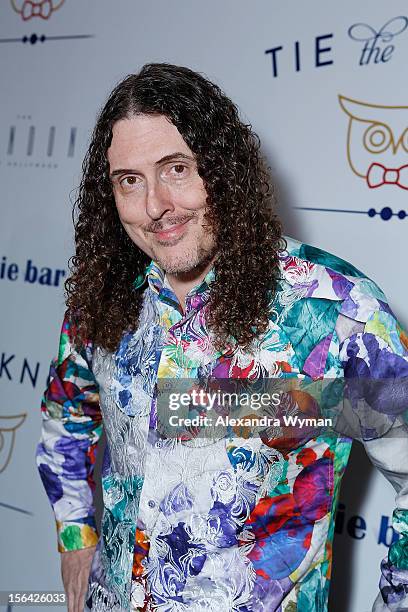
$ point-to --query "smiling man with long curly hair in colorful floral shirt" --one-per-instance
(181, 273)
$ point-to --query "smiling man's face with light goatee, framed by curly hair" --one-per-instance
(159, 194)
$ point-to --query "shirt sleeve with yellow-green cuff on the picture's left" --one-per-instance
(66, 452)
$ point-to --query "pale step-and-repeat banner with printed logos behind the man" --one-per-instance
(325, 89)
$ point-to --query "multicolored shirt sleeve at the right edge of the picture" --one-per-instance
(375, 358)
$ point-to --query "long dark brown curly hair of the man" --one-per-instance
(101, 298)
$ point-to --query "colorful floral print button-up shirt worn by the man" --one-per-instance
(232, 524)
